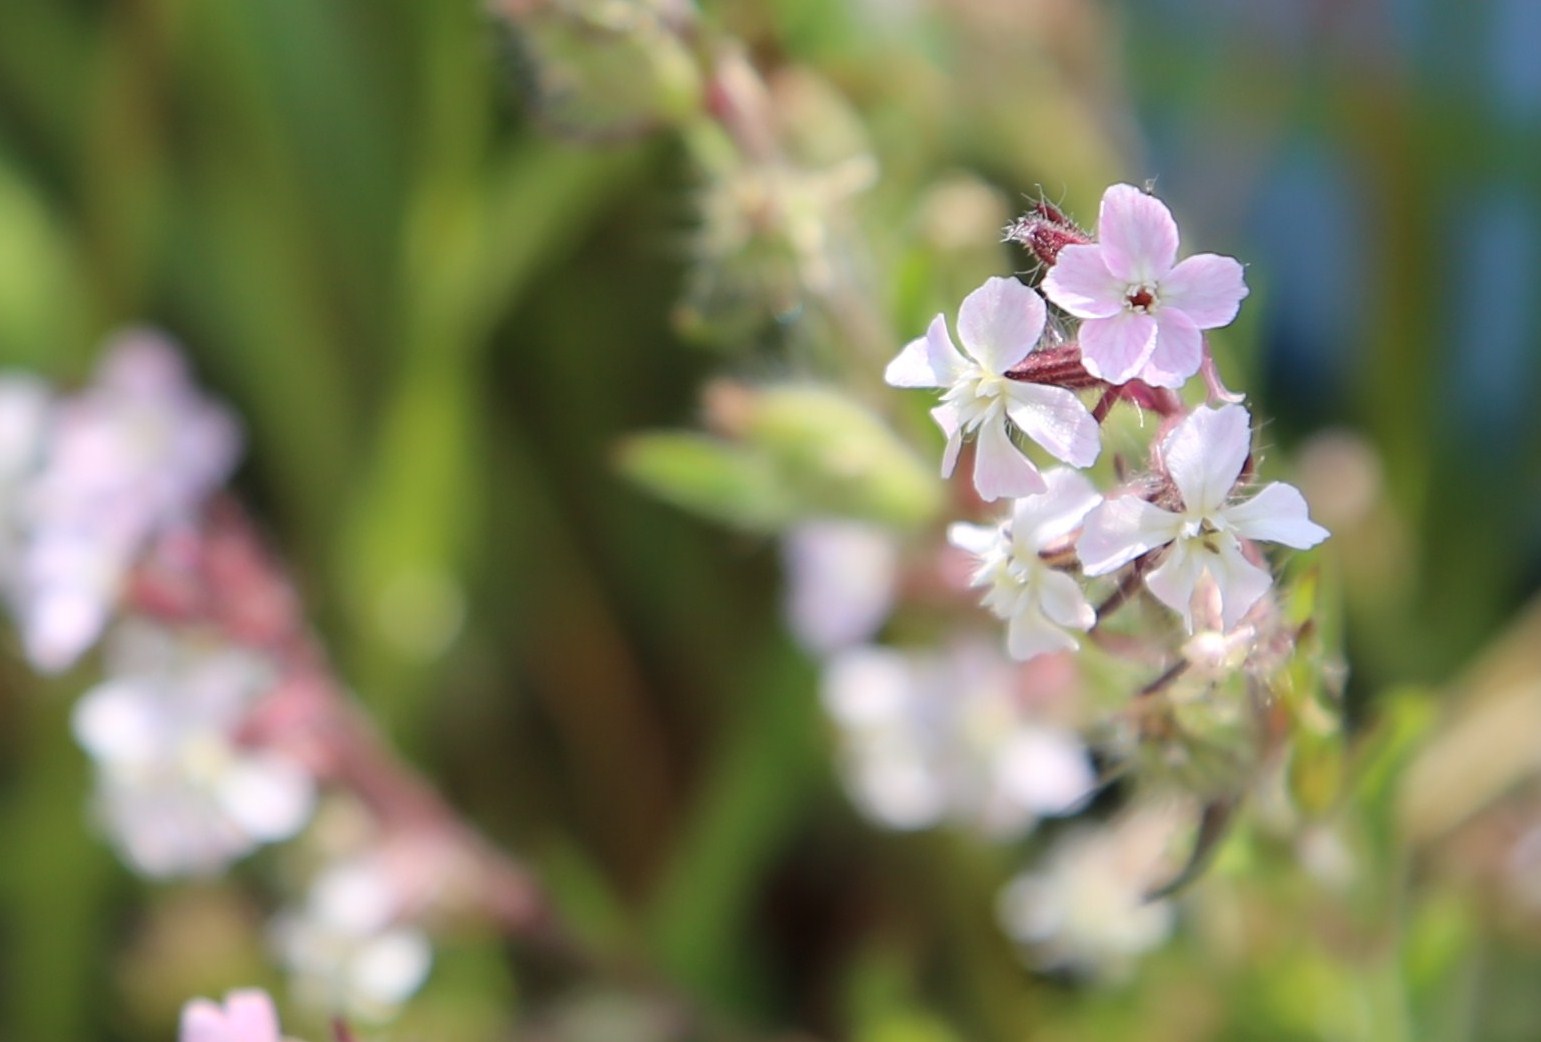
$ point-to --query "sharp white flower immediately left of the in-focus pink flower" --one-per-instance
(999, 326)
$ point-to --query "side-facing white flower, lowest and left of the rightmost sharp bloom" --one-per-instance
(1041, 605)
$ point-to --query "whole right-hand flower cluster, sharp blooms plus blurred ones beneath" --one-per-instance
(973, 738)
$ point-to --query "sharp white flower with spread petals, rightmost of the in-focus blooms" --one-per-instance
(1204, 457)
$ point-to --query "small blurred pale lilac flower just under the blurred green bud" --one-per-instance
(841, 580)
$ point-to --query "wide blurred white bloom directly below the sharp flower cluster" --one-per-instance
(950, 738)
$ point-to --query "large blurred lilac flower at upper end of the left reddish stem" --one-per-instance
(126, 459)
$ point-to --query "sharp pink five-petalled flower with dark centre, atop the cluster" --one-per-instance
(1141, 312)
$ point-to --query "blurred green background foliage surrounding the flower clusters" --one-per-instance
(440, 295)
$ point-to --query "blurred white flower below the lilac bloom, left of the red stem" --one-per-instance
(176, 790)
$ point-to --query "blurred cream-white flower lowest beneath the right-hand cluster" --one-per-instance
(1086, 910)
